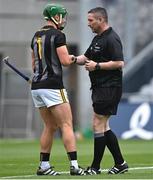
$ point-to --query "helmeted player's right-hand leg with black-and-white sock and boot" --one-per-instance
(63, 116)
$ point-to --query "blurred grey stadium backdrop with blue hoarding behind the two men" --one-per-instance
(132, 19)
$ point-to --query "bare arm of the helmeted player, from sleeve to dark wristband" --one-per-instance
(64, 56)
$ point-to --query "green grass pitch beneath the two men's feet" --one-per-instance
(19, 159)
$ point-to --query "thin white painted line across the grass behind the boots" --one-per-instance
(67, 172)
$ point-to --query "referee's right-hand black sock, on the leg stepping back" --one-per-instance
(113, 146)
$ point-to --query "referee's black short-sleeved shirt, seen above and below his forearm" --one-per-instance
(103, 48)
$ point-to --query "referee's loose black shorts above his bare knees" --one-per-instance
(106, 99)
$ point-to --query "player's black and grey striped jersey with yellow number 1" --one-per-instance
(47, 66)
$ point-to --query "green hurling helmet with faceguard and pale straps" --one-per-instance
(55, 9)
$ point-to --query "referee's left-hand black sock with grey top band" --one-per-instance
(99, 147)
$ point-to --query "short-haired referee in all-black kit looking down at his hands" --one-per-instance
(104, 61)
